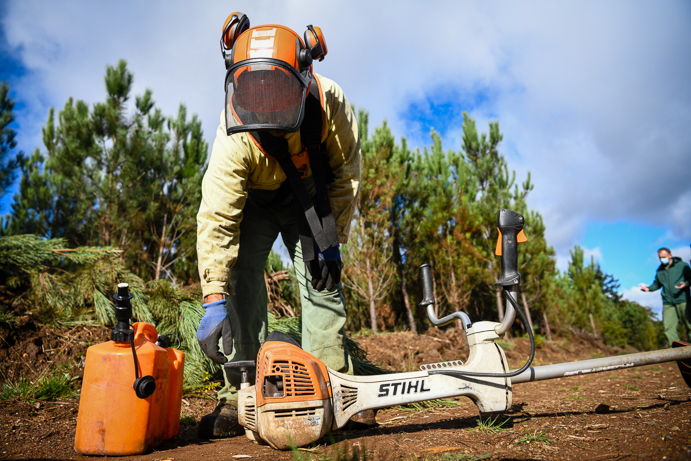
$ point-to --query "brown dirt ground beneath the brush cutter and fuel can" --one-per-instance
(625, 414)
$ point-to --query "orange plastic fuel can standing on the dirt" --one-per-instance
(116, 420)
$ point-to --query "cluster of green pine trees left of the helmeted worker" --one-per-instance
(111, 177)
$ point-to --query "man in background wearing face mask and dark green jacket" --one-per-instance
(674, 277)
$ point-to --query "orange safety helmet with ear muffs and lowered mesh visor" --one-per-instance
(269, 71)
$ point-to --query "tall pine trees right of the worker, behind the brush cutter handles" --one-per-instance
(441, 207)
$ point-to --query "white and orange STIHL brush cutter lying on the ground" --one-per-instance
(296, 399)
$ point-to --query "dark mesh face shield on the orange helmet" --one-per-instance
(264, 94)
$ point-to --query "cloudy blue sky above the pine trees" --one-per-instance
(593, 98)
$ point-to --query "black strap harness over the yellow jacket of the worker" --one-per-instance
(316, 222)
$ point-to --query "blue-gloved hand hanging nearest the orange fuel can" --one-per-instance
(215, 325)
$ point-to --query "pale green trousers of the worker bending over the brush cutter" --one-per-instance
(323, 313)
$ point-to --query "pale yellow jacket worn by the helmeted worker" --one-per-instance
(237, 164)
